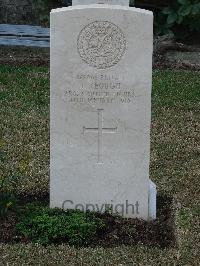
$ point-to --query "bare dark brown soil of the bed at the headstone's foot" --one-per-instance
(118, 231)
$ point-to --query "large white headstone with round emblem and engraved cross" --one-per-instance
(101, 75)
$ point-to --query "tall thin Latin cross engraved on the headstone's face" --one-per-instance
(100, 130)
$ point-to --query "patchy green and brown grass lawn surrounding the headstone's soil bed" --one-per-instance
(175, 162)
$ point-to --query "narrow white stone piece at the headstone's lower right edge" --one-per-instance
(152, 200)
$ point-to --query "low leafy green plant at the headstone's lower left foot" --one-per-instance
(45, 226)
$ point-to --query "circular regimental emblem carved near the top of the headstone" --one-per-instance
(101, 44)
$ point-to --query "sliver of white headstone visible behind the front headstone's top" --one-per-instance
(109, 2)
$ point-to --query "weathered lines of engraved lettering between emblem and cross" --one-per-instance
(92, 88)
